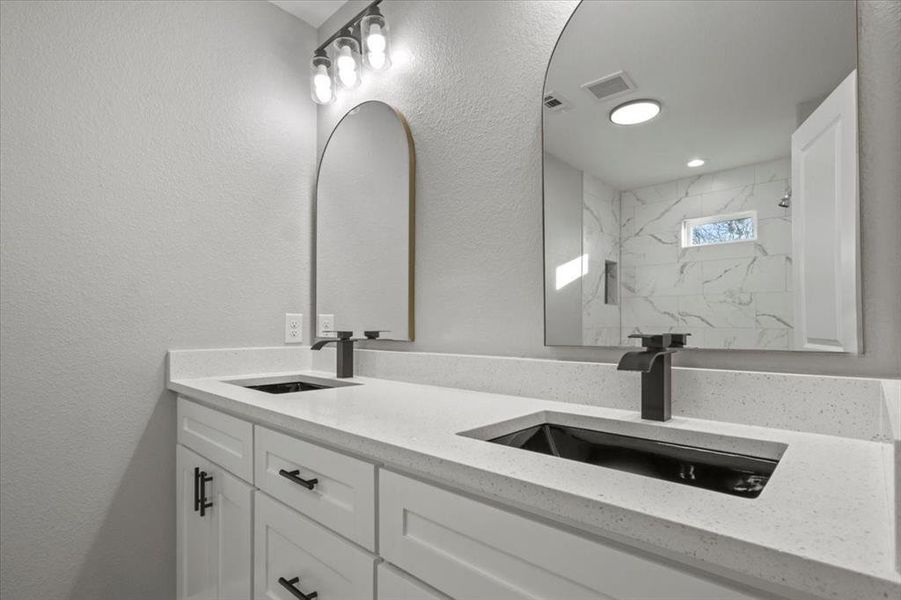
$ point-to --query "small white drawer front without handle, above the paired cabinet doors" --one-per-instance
(223, 439)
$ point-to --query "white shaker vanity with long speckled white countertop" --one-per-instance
(392, 490)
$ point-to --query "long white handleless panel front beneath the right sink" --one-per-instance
(468, 549)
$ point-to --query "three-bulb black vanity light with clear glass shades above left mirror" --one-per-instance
(339, 59)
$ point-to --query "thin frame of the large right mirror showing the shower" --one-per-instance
(859, 284)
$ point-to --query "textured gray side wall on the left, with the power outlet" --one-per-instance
(156, 160)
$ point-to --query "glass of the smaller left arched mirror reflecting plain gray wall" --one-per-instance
(364, 224)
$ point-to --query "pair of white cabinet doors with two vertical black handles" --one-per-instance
(213, 531)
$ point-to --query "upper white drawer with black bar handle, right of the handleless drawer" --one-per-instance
(343, 497)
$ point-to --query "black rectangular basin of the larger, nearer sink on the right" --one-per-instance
(725, 472)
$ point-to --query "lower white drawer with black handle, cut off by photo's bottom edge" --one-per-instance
(287, 545)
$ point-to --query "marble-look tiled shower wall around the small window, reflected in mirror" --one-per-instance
(733, 276)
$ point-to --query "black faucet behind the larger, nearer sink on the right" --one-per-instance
(655, 363)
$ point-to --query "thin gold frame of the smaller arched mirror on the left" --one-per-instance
(411, 230)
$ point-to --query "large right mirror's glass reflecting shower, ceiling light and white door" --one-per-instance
(704, 179)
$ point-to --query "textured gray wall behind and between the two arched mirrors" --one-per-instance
(471, 86)
